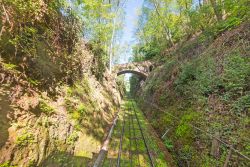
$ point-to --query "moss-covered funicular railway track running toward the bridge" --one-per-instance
(132, 143)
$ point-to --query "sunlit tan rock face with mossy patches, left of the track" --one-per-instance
(39, 130)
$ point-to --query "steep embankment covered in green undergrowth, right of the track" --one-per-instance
(209, 91)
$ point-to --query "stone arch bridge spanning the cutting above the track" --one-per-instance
(142, 69)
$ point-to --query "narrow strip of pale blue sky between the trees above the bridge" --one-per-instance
(131, 17)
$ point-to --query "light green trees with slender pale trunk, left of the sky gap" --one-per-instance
(102, 25)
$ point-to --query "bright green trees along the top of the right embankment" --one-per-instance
(164, 23)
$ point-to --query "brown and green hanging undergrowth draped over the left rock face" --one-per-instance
(35, 34)
